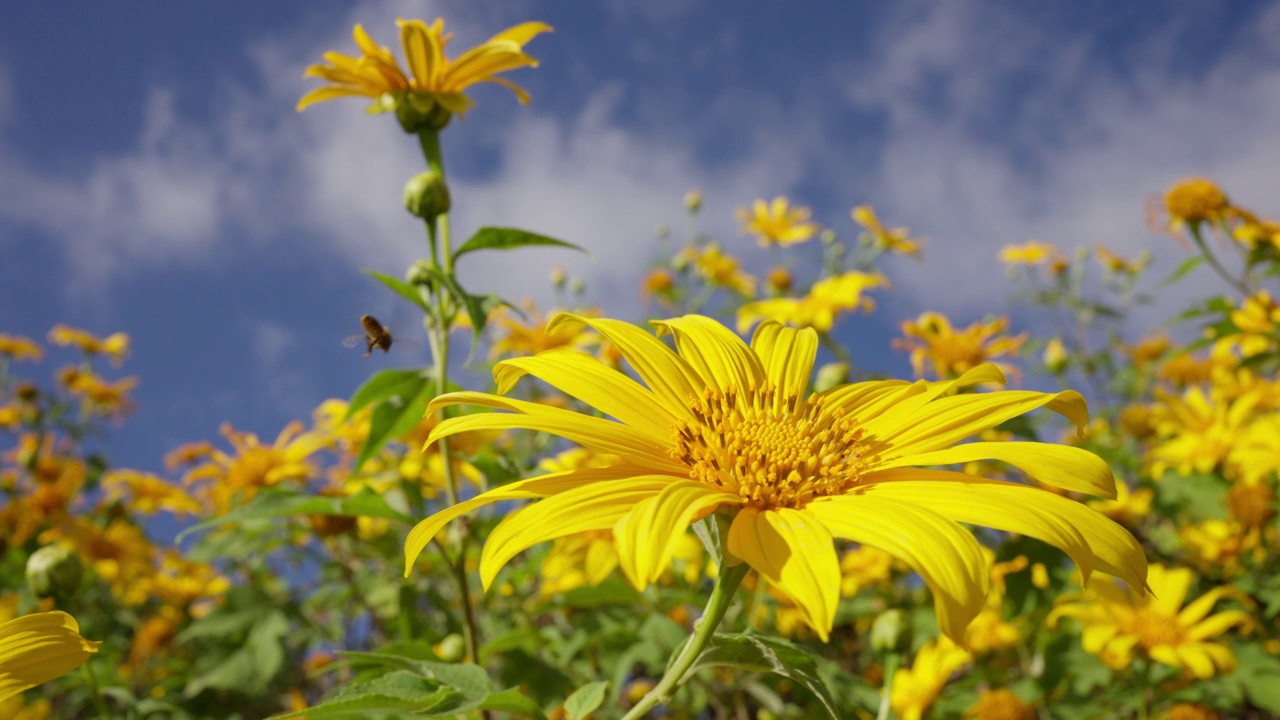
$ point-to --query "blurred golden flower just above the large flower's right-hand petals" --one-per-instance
(954, 353)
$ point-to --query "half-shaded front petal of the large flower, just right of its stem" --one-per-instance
(796, 553)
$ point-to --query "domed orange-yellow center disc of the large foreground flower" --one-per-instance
(774, 452)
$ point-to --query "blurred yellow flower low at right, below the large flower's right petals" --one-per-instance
(1119, 623)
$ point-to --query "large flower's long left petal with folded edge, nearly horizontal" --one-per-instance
(596, 434)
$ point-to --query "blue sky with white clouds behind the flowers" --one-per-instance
(156, 179)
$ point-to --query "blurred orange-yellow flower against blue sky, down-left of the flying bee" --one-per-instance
(230, 479)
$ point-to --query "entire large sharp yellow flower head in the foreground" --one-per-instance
(729, 427)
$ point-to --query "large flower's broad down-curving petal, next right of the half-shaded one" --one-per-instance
(945, 555)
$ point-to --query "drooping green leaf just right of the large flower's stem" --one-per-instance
(765, 654)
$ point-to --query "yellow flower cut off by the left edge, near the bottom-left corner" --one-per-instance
(39, 648)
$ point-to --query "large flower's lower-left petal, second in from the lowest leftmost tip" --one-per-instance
(596, 507)
